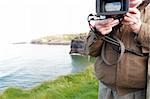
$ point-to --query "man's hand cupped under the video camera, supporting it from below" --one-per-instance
(105, 26)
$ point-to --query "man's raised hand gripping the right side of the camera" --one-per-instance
(132, 19)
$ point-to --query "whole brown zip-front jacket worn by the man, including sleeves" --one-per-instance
(130, 73)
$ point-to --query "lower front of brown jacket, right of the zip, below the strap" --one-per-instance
(133, 72)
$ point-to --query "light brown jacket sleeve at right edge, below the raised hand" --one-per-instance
(144, 33)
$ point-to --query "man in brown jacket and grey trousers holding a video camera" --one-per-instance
(127, 78)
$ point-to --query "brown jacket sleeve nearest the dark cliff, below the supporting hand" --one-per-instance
(94, 44)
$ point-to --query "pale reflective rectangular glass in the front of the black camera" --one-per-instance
(113, 6)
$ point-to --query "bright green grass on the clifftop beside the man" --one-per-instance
(81, 85)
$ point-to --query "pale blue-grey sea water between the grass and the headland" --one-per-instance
(27, 65)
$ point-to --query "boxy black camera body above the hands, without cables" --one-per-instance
(112, 8)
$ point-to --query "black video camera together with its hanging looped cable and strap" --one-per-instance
(110, 9)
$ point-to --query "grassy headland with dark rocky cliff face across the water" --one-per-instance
(77, 42)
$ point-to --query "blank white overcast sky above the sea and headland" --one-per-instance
(22, 20)
